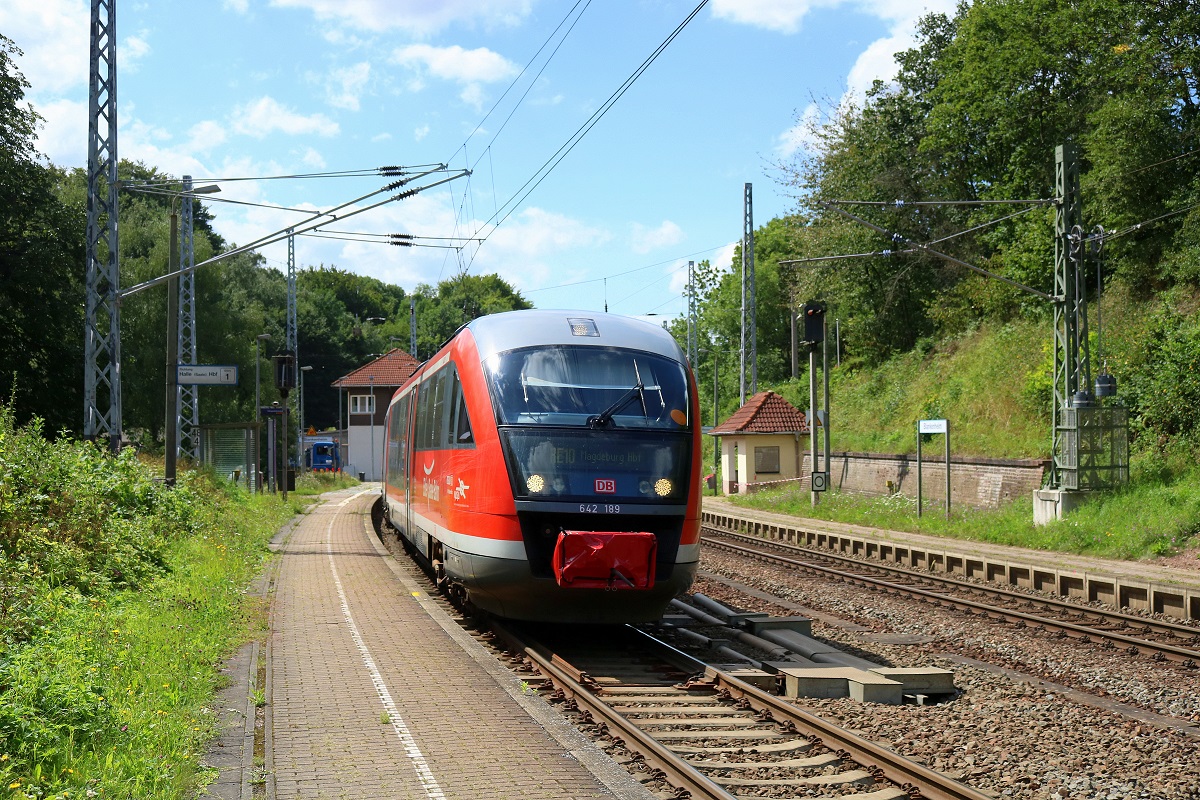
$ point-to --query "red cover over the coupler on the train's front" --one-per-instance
(599, 560)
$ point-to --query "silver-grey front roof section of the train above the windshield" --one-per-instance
(519, 329)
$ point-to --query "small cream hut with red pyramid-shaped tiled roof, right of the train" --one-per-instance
(764, 442)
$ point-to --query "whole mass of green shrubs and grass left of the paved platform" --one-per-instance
(119, 601)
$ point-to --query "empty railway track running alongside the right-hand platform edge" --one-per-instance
(1111, 630)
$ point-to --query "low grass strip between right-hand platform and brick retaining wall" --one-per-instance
(1148, 519)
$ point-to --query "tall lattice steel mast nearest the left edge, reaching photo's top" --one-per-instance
(103, 316)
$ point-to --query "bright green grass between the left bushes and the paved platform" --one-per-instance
(115, 699)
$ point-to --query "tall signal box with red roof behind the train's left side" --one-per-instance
(368, 392)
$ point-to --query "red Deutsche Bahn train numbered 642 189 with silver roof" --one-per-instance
(545, 465)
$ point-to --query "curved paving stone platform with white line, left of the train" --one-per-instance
(375, 693)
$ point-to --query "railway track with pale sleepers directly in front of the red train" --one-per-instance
(709, 735)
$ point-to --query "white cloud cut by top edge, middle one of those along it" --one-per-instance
(421, 17)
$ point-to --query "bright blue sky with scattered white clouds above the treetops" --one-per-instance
(245, 93)
